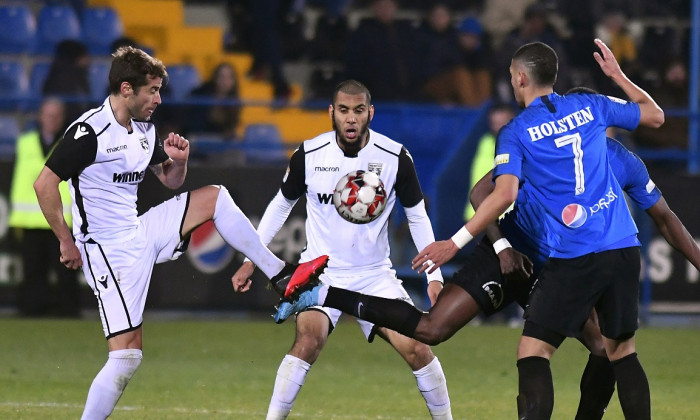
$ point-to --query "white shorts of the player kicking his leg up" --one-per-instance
(119, 274)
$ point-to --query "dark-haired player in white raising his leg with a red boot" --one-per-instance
(104, 156)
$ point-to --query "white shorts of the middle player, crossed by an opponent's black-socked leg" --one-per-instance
(379, 282)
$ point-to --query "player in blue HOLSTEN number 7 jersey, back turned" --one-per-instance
(574, 198)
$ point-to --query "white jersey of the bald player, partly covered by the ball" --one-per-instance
(315, 169)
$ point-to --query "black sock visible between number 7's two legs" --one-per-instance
(597, 387)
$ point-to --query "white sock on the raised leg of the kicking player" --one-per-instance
(237, 231)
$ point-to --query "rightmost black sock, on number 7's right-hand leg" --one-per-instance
(632, 387)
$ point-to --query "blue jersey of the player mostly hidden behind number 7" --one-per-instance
(526, 231)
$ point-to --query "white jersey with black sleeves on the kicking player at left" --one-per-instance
(105, 163)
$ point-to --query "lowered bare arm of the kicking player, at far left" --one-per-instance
(46, 188)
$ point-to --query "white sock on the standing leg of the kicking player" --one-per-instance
(110, 382)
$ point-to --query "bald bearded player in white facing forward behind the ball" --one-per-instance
(359, 254)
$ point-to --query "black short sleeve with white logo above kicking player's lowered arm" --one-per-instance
(74, 152)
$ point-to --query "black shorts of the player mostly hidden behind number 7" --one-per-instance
(481, 277)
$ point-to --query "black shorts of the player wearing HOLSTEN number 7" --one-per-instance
(569, 288)
